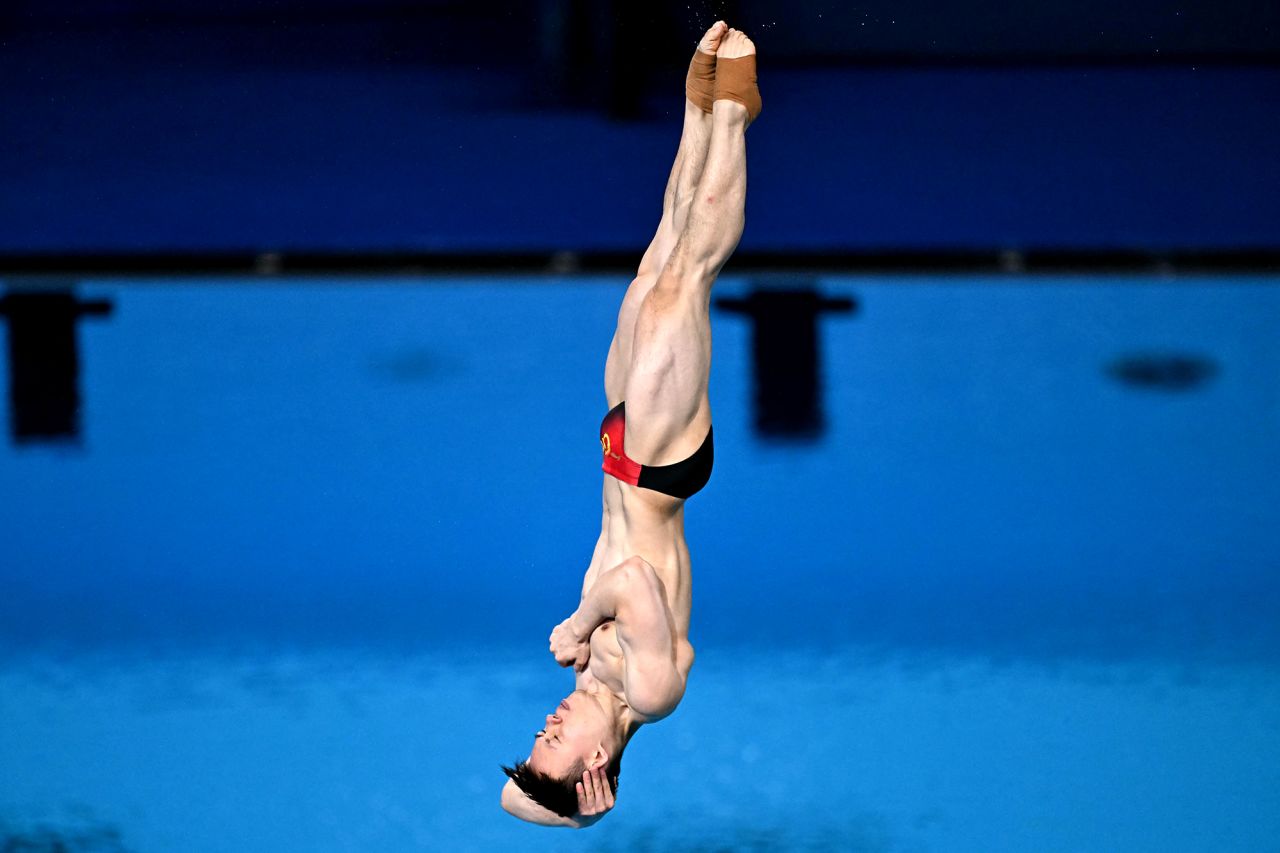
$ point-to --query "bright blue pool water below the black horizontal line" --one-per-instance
(291, 589)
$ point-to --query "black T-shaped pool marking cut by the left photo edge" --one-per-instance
(44, 363)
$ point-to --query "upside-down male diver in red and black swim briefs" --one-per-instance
(629, 638)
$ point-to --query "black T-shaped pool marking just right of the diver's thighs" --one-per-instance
(787, 358)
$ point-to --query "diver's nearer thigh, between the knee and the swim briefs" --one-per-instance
(669, 412)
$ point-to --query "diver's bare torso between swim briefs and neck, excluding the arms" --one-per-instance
(651, 526)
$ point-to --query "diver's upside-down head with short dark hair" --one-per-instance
(582, 735)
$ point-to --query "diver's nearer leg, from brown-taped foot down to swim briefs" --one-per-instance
(669, 412)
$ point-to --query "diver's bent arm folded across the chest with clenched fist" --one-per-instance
(634, 597)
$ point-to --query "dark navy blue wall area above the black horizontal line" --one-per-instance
(446, 127)
